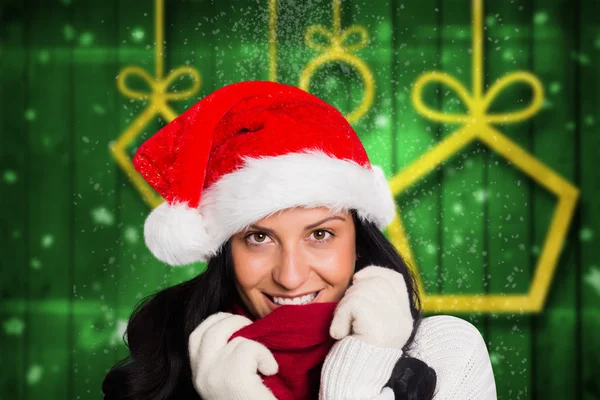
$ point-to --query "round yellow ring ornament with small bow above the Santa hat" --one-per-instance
(337, 50)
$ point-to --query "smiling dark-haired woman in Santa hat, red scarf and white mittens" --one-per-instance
(303, 296)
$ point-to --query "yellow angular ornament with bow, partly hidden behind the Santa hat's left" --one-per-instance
(159, 96)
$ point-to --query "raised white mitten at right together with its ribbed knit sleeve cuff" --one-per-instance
(372, 323)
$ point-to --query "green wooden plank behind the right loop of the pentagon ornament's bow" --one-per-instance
(508, 194)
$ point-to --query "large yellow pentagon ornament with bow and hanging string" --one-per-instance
(477, 125)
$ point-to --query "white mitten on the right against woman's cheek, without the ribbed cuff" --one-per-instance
(375, 309)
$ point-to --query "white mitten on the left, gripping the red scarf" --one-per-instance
(229, 370)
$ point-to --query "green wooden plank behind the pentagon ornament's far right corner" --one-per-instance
(554, 139)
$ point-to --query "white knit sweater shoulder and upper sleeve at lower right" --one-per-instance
(455, 349)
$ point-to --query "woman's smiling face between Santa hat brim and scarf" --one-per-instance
(292, 256)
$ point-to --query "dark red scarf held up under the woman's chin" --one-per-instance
(298, 337)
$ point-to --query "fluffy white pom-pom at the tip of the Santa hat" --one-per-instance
(176, 234)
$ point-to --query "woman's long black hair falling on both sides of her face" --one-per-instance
(158, 367)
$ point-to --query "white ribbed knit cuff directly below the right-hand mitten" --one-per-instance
(354, 370)
